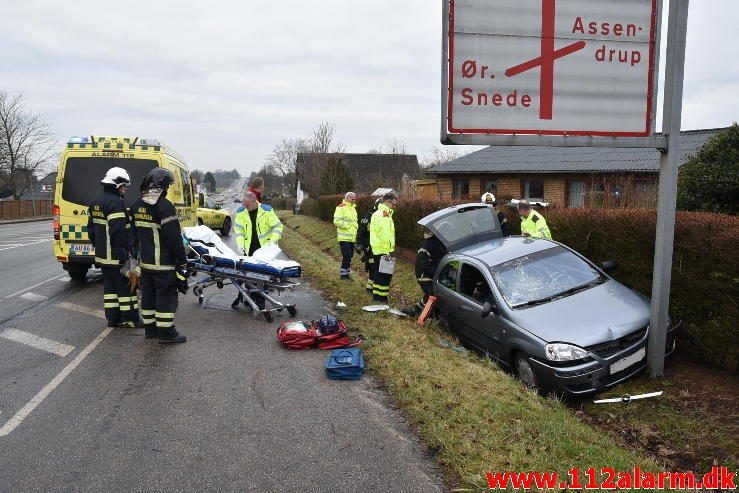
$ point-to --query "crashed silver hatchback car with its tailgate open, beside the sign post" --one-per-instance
(556, 319)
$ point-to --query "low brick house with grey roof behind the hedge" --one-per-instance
(562, 176)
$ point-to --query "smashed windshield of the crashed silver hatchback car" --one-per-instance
(543, 276)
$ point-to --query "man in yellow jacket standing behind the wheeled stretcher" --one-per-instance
(256, 226)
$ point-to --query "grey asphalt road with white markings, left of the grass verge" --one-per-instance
(92, 409)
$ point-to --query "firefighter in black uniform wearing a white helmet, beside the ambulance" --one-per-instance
(110, 233)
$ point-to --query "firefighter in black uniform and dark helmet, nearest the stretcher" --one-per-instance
(163, 258)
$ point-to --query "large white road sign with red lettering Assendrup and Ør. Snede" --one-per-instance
(552, 67)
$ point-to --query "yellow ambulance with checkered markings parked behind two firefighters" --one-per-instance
(83, 164)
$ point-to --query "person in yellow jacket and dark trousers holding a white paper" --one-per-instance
(382, 241)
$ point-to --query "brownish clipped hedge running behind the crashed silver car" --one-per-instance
(705, 276)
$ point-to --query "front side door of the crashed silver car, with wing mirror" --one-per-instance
(474, 289)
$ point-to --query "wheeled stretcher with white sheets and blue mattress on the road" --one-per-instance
(252, 276)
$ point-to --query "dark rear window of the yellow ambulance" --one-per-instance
(82, 177)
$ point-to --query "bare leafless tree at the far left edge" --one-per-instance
(27, 144)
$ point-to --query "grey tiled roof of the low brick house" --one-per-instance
(532, 159)
